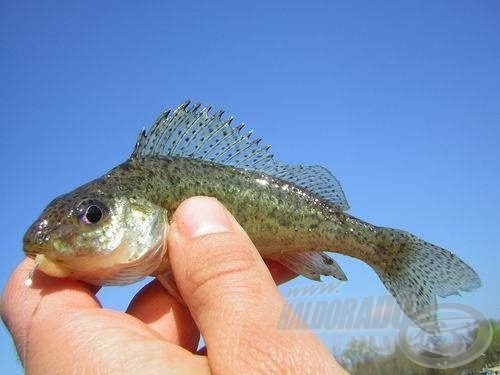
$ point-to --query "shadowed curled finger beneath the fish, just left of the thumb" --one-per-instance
(164, 314)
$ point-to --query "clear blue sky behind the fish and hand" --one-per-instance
(401, 100)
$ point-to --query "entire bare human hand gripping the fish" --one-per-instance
(59, 326)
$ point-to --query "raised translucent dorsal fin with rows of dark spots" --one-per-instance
(188, 132)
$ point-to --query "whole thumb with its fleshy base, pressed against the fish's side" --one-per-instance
(232, 296)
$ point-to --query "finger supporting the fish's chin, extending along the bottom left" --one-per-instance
(56, 316)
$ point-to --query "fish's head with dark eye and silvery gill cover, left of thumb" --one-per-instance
(101, 234)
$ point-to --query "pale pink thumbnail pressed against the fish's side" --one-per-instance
(200, 216)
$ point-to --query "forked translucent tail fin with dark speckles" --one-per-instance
(415, 272)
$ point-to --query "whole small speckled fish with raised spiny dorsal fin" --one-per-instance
(112, 230)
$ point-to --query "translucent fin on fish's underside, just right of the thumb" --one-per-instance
(311, 265)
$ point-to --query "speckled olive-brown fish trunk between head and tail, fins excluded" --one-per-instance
(279, 216)
